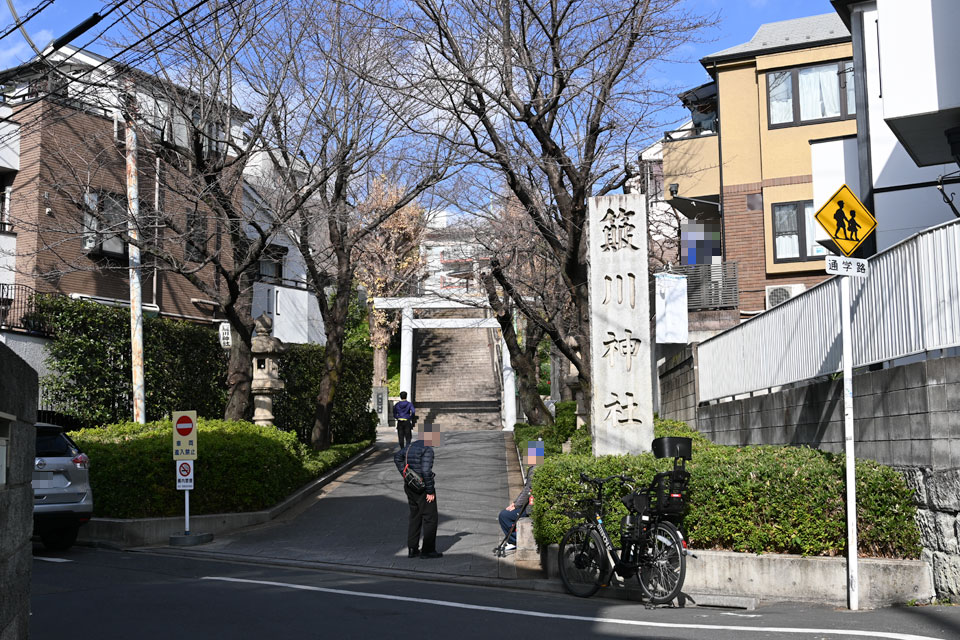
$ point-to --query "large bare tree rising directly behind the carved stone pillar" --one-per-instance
(554, 98)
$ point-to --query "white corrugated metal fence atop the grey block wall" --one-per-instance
(908, 304)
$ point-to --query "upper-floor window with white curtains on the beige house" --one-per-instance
(818, 93)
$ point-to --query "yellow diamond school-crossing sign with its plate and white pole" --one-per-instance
(848, 223)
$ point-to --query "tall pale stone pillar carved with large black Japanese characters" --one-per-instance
(621, 412)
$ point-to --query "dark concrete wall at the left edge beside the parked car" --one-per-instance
(18, 411)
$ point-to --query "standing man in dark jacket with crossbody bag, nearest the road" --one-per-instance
(423, 505)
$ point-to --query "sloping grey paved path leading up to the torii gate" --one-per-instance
(360, 519)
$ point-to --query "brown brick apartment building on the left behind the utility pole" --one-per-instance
(64, 205)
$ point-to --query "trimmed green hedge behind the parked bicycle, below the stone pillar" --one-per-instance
(750, 499)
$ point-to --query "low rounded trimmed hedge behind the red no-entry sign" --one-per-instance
(241, 467)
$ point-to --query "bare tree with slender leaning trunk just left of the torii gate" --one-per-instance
(354, 124)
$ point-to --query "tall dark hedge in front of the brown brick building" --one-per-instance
(184, 365)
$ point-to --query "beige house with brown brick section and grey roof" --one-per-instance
(741, 170)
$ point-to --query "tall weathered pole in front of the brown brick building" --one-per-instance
(133, 261)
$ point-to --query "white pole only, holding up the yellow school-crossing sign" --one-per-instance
(853, 586)
